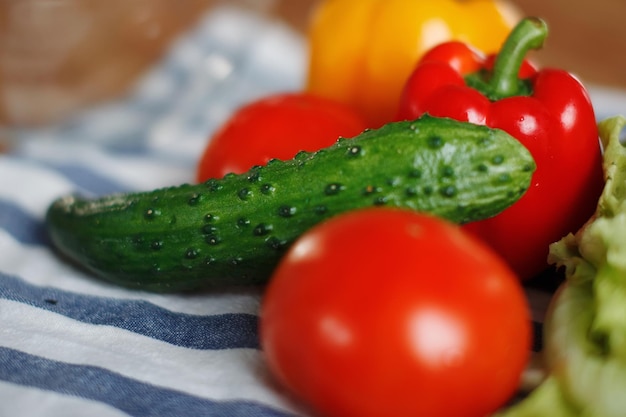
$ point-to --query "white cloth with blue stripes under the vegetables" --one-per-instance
(71, 345)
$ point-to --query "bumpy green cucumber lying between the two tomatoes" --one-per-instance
(233, 230)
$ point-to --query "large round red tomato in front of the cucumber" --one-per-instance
(387, 312)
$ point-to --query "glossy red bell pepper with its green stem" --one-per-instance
(547, 110)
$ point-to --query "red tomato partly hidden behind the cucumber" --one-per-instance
(277, 126)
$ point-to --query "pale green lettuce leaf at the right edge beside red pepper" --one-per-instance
(585, 327)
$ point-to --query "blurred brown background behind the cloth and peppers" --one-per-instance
(57, 56)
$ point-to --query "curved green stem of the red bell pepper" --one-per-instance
(530, 33)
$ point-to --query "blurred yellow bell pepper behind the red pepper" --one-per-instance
(362, 51)
